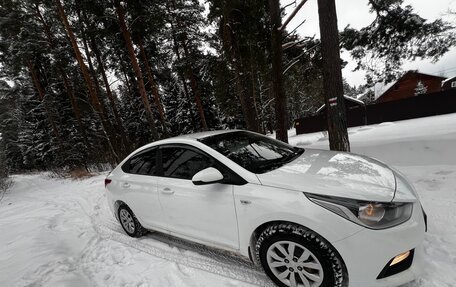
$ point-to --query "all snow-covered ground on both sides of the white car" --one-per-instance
(56, 232)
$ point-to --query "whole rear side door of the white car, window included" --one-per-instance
(139, 185)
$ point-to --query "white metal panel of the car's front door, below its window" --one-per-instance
(203, 212)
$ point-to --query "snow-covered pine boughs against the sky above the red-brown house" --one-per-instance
(396, 35)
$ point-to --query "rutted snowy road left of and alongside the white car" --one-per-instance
(61, 233)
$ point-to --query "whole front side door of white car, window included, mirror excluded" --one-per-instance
(203, 212)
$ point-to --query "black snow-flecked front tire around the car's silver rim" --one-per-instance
(334, 271)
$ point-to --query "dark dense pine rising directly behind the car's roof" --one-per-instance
(244, 42)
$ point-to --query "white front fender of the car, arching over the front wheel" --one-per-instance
(256, 204)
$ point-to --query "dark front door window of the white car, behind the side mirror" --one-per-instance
(183, 163)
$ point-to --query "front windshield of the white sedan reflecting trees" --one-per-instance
(256, 153)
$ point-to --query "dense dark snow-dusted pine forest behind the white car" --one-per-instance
(85, 82)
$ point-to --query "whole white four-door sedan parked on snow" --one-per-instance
(308, 217)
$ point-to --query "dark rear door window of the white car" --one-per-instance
(144, 163)
